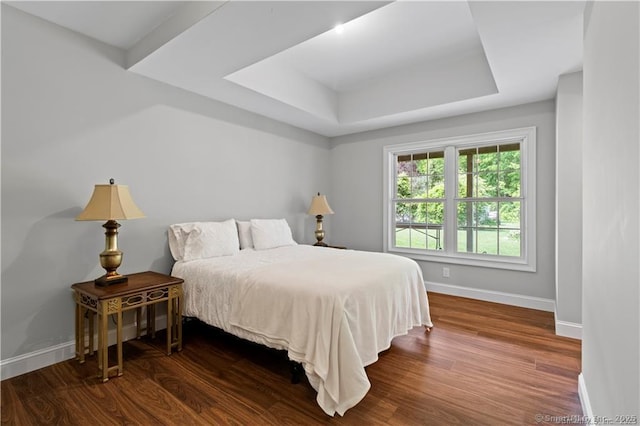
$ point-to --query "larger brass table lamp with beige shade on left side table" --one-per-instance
(110, 202)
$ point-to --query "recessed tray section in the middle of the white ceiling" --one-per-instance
(428, 54)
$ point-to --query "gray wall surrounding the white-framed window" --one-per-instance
(357, 186)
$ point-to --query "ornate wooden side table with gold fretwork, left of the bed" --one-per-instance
(142, 289)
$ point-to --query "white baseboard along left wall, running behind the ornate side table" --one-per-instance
(48, 356)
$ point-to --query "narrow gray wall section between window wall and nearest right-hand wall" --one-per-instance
(569, 198)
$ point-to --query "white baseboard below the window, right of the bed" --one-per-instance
(531, 302)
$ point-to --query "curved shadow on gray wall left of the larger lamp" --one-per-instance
(36, 284)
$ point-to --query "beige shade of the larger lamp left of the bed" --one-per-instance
(110, 202)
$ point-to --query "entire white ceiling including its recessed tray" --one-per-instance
(394, 62)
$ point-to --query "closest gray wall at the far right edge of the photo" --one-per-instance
(611, 202)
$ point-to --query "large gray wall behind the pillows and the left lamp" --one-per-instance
(73, 117)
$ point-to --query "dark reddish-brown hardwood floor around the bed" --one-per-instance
(483, 363)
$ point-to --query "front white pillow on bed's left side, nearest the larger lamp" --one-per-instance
(212, 239)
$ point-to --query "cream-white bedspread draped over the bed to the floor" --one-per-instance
(332, 310)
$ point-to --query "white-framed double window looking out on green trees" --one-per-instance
(468, 200)
